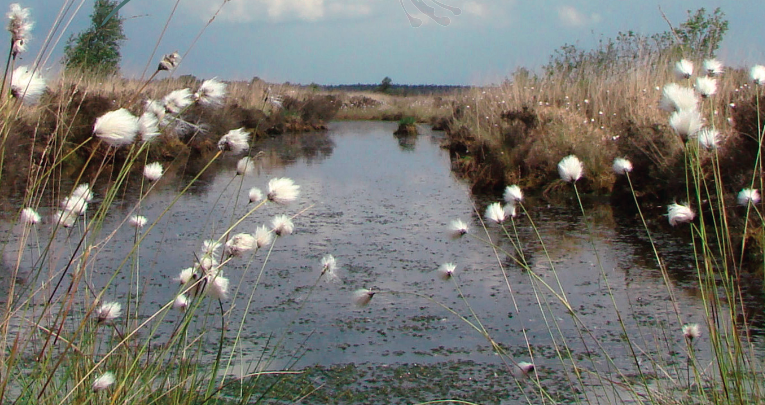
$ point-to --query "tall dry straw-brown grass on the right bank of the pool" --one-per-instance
(597, 116)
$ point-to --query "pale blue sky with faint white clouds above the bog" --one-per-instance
(459, 42)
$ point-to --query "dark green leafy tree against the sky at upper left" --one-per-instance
(97, 49)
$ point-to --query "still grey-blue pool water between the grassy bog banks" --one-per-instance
(382, 206)
